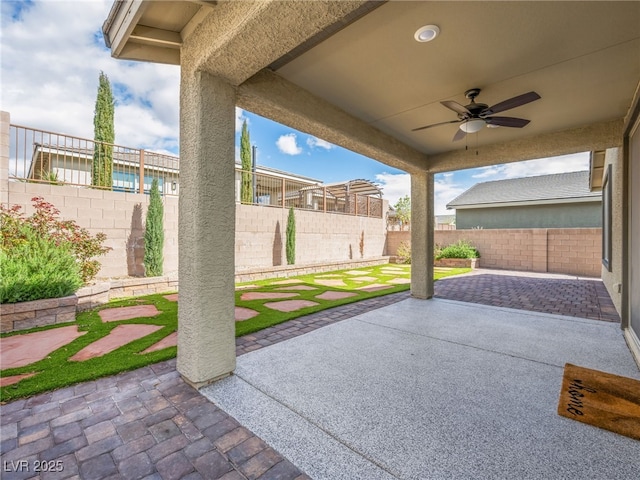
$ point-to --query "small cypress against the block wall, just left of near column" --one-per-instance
(154, 233)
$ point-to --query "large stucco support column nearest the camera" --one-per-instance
(206, 325)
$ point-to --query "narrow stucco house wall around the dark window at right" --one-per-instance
(613, 278)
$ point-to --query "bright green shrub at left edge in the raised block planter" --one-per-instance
(37, 267)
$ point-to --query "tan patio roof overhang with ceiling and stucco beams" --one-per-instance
(360, 60)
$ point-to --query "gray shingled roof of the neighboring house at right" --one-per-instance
(559, 186)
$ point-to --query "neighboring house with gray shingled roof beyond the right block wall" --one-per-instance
(563, 200)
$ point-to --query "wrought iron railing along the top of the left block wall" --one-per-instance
(46, 157)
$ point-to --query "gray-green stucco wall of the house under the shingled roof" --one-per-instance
(574, 215)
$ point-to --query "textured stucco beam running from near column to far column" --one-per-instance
(271, 96)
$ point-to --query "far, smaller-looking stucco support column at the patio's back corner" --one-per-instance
(422, 219)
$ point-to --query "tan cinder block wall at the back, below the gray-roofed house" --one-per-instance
(573, 251)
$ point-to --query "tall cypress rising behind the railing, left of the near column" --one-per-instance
(104, 135)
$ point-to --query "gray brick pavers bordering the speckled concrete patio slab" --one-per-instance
(149, 424)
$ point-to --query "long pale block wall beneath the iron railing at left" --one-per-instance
(260, 230)
